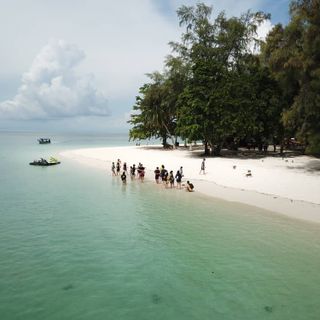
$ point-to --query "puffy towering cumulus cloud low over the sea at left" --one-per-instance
(53, 89)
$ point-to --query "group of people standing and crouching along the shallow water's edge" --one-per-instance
(161, 174)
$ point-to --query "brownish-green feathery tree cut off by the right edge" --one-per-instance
(293, 55)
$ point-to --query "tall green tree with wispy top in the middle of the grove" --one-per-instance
(216, 103)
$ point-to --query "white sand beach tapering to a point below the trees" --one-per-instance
(290, 186)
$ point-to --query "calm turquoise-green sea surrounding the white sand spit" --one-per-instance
(77, 244)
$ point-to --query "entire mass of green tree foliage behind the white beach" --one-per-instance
(217, 89)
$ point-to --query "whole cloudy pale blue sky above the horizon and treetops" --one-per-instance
(76, 66)
